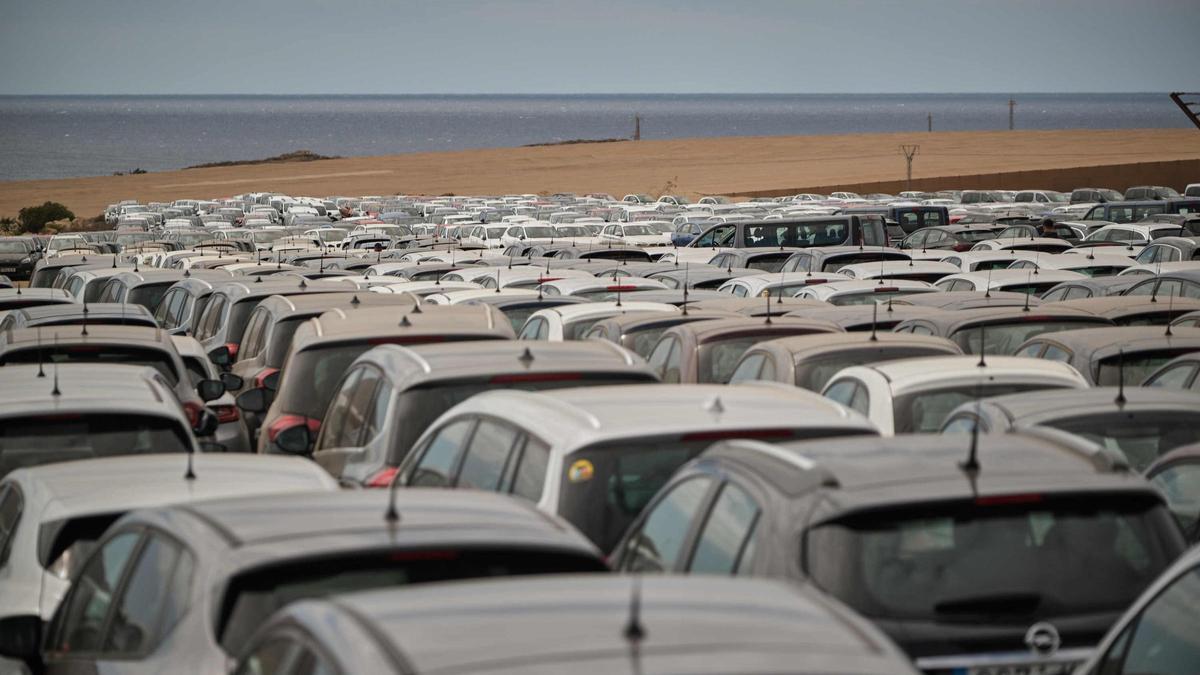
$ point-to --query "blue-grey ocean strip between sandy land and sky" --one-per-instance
(70, 136)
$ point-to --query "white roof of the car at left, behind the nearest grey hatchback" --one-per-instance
(73, 488)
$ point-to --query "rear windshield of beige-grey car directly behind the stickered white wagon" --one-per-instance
(423, 405)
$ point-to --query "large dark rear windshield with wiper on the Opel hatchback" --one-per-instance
(941, 563)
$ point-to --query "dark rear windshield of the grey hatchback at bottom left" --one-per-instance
(255, 596)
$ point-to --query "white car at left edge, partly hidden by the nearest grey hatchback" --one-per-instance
(63, 509)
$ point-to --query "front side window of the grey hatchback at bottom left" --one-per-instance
(80, 620)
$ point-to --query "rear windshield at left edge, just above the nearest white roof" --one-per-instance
(34, 441)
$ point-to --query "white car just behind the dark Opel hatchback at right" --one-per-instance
(916, 396)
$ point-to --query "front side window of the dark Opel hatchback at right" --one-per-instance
(658, 545)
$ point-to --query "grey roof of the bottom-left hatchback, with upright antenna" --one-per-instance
(446, 516)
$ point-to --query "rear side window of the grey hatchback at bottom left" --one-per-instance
(137, 622)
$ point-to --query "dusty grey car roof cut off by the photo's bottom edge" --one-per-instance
(565, 623)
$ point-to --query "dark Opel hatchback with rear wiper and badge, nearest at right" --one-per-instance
(1012, 552)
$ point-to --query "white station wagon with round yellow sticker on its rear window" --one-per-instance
(597, 456)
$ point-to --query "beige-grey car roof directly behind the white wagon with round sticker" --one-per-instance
(411, 367)
